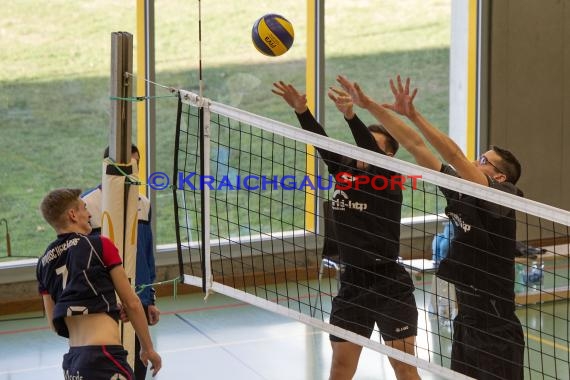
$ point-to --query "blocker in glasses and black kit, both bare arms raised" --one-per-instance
(488, 341)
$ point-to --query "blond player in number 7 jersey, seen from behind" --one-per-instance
(78, 276)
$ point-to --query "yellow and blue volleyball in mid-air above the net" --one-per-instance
(272, 35)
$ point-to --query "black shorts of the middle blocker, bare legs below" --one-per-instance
(383, 295)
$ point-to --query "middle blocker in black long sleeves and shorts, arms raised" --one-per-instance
(375, 288)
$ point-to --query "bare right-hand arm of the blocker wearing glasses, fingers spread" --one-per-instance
(446, 147)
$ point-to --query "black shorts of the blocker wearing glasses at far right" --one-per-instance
(487, 352)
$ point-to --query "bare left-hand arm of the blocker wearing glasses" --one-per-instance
(404, 134)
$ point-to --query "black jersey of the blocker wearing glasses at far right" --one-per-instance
(481, 255)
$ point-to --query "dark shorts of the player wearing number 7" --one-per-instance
(97, 362)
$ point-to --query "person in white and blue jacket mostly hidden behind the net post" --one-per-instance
(145, 267)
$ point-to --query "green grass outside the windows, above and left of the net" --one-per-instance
(54, 104)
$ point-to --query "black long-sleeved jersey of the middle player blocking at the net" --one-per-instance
(367, 217)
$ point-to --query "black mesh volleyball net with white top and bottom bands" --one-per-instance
(254, 223)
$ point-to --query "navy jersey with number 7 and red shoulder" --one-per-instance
(74, 271)
